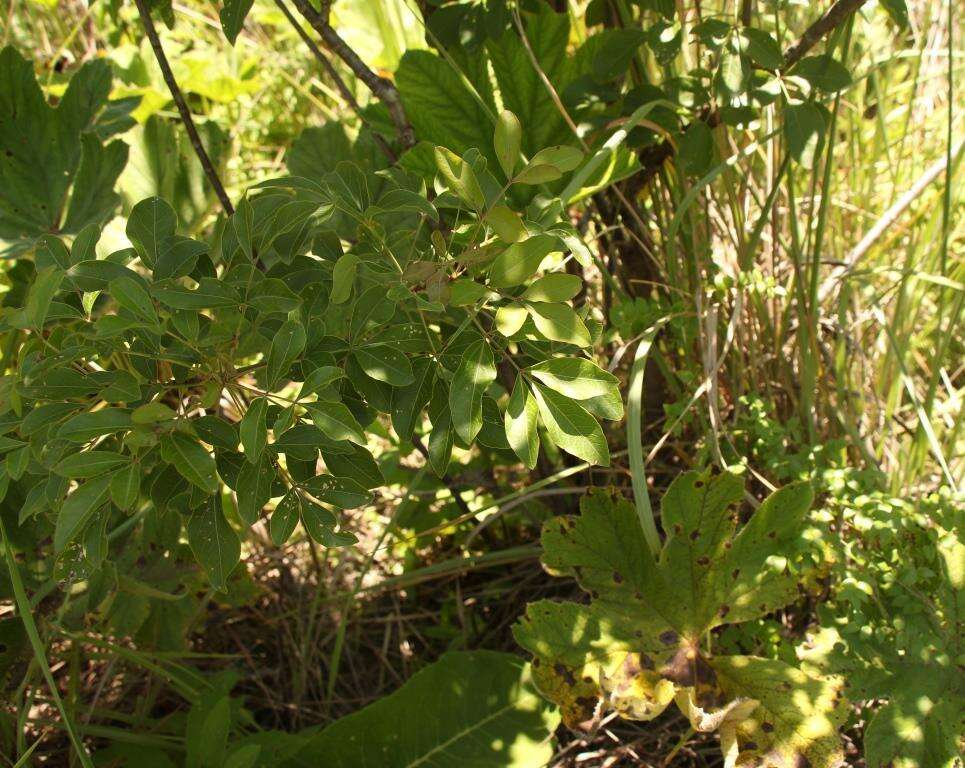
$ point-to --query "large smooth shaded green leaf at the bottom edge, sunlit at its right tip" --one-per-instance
(483, 706)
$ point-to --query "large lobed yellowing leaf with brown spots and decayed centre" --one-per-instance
(639, 644)
